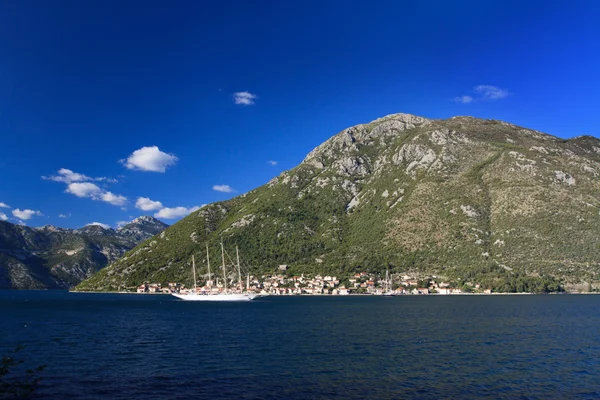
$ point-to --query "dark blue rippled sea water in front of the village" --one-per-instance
(157, 347)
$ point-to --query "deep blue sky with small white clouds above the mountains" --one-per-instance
(104, 102)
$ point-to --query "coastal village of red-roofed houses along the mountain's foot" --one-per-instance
(360, 283)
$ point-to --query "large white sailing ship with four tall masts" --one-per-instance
(208, 294)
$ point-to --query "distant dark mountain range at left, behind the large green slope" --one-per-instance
(51, 257)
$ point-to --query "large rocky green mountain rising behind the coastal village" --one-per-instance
(464, 198)
